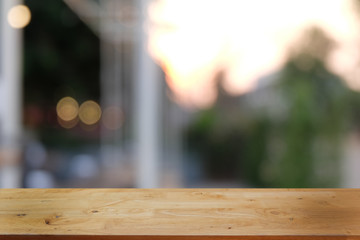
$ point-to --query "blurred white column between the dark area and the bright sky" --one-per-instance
(147, 112)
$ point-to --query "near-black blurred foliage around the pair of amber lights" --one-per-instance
(61, 58)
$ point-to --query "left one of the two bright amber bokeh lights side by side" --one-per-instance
(67, 109)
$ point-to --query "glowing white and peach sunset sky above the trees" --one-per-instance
(192, 40)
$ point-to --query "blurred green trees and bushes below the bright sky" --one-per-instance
(301, 146)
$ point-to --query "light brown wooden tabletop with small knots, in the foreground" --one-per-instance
(180, 214)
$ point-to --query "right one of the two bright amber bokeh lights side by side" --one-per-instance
(90, 112)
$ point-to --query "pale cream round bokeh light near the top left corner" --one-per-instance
(19, 16)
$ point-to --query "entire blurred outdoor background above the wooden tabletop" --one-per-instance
(170, 93)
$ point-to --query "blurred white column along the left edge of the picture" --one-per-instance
(10, 129)
